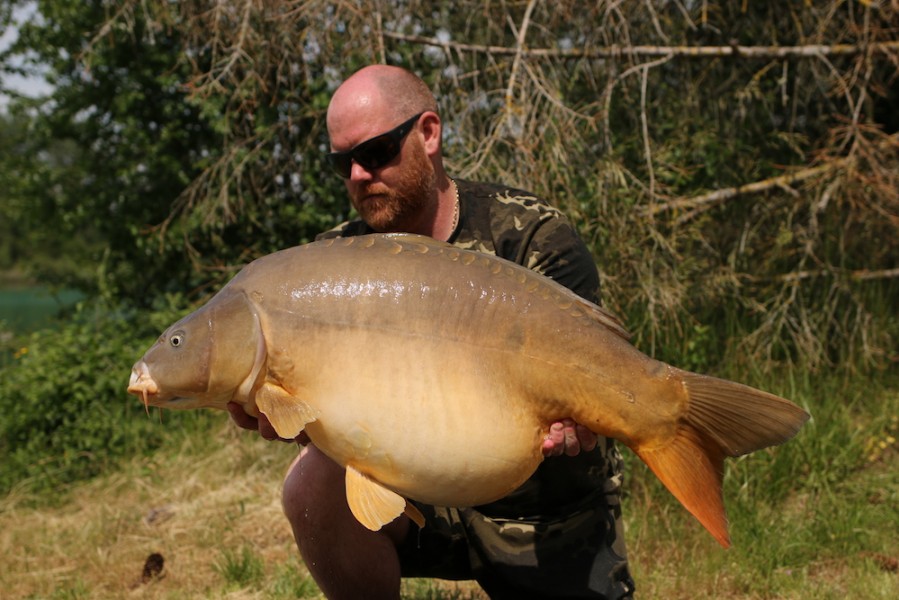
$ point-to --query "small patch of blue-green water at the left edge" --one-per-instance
(25, 309)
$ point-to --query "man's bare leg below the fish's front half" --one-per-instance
(345, 559)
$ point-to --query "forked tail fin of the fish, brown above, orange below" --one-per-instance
(723, 419)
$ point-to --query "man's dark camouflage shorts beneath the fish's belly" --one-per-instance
(580, 555)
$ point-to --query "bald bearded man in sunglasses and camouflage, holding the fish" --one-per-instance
(559, 535)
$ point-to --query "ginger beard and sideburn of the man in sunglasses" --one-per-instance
(396, 208)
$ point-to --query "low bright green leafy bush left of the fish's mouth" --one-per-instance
(64, 413)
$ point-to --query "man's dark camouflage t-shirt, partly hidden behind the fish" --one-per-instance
(524, 229)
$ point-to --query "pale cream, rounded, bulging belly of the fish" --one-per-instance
(424, 418)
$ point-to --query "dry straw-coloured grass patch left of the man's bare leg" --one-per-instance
(190, 507)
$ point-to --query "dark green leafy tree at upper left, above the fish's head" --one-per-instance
(137, 146)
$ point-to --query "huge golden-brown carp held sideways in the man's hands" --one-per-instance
(432, 373)
